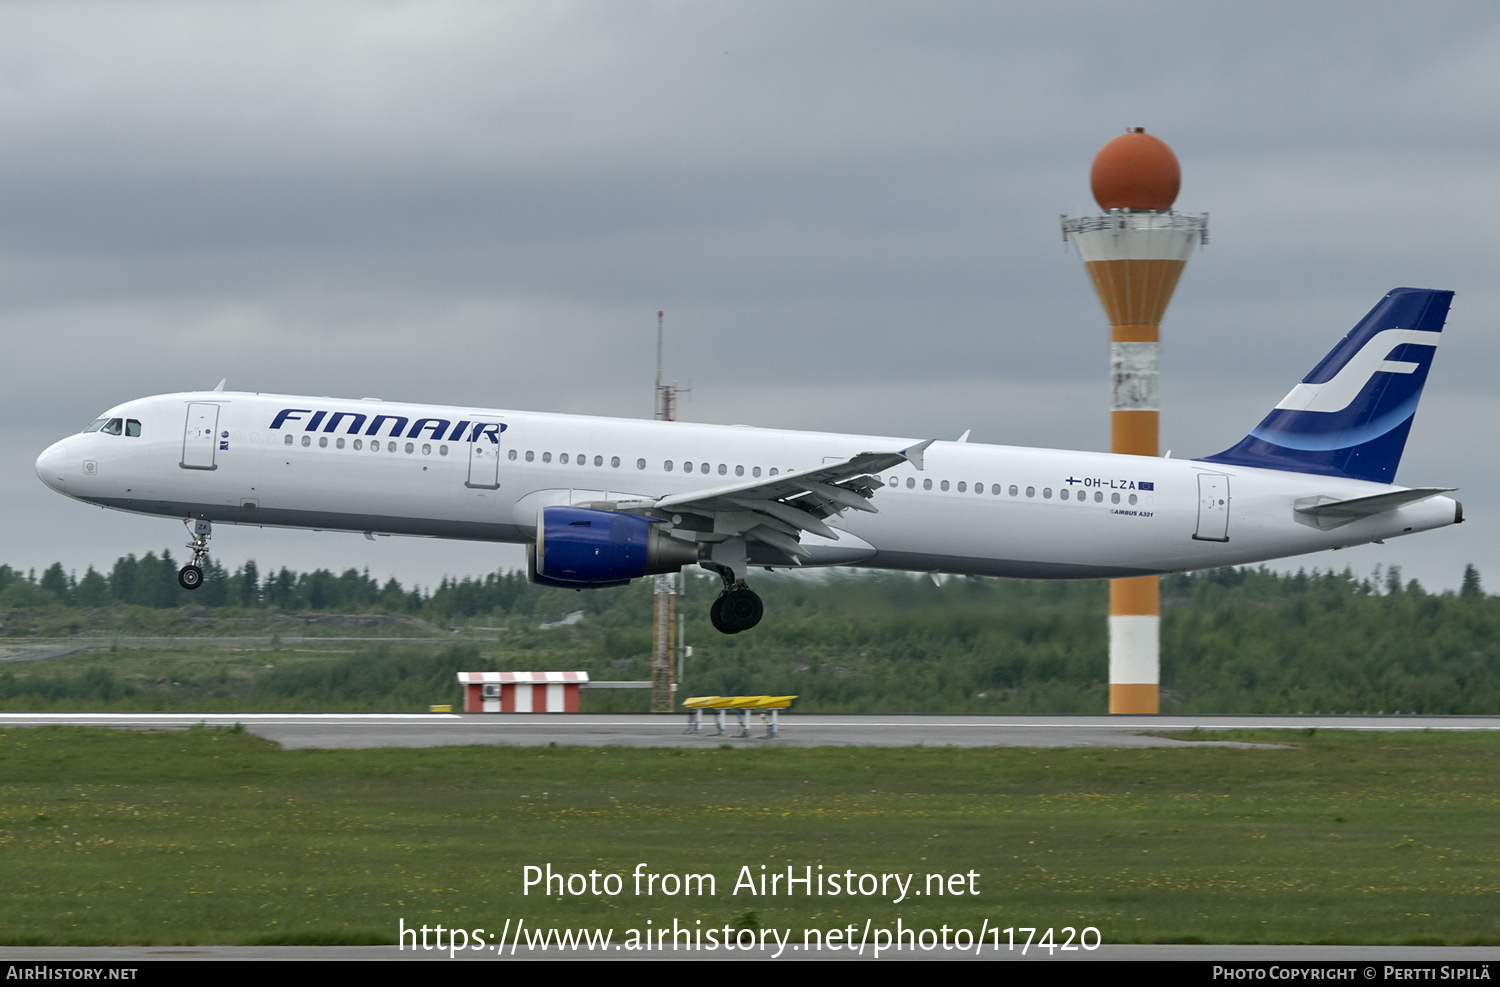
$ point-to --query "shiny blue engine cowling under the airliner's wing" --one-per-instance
(583, 548)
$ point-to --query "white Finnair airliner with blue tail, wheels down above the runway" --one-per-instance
(601, 502)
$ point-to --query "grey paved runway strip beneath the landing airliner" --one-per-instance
(440, 730)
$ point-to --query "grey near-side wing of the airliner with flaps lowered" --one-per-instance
(776, 511)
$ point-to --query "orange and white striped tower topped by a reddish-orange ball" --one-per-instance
(1135, 254)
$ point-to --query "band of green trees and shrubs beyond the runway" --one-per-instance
(1232, 640)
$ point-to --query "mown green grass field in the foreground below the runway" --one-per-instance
(218, 836)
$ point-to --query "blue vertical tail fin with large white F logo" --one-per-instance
(1351, 416)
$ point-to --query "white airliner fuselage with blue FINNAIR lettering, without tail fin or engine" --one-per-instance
(482, 475)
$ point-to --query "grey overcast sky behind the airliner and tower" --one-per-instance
(848, 212)
